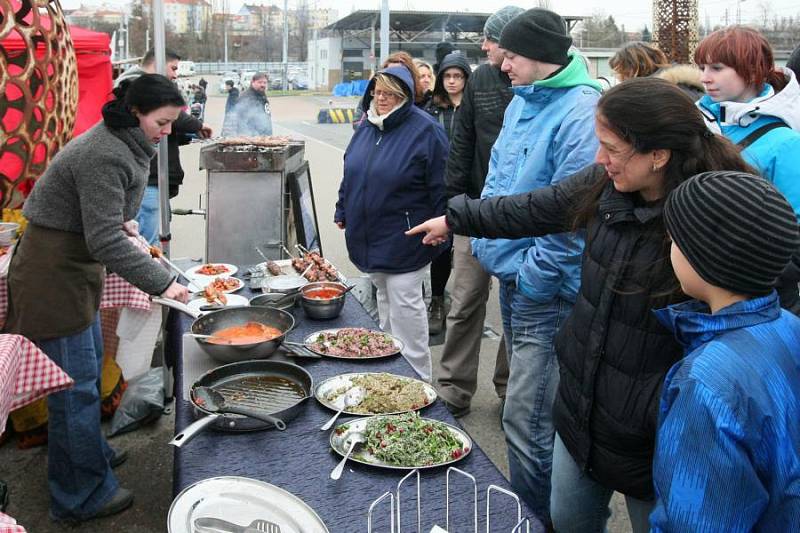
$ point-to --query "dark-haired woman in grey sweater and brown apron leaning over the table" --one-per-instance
(77, 228)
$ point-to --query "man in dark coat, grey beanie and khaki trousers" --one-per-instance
(478, 123)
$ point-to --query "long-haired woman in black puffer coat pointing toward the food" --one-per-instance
(613, 353)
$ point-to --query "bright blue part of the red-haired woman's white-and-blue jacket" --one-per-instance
(776, 155)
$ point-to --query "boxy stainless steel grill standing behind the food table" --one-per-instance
(249, 202)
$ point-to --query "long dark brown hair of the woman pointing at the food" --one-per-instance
(652, 114)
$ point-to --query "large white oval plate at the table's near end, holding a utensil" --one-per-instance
(241, 500)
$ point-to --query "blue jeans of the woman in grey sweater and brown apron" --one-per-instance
(78, 470)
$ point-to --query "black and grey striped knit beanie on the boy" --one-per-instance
(735, 229)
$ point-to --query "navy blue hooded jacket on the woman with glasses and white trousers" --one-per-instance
(393, 180)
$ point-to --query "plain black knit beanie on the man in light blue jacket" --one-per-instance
(538, 34)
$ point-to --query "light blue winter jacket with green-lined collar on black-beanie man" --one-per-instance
(547, 135)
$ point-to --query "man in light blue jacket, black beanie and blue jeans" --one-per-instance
(547, 135)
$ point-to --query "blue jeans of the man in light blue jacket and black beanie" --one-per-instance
(532, 385)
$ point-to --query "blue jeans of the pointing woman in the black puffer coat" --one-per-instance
(580, 504)
